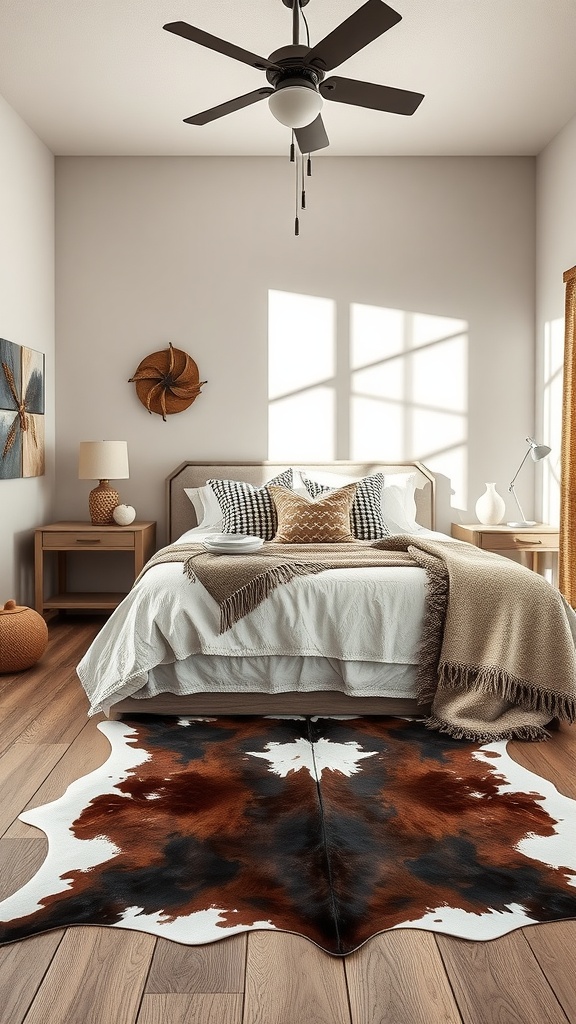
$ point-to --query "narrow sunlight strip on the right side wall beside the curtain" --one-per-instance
(552, 418)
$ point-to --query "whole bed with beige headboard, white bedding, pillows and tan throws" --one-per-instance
(351, 639)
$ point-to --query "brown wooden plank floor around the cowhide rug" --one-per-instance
(108, 976)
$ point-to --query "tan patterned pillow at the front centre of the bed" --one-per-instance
(324, 521)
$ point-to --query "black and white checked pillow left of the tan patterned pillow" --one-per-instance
(248, 509)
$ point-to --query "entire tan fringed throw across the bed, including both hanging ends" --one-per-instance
(498, 658)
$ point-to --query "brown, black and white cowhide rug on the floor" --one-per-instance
(335, 829)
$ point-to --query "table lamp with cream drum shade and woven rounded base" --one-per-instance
(103, 461)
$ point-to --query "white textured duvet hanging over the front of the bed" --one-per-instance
(353, 630)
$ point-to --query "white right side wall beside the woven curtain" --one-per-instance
(556, 253)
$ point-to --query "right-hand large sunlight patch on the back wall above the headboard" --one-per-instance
(409, 391)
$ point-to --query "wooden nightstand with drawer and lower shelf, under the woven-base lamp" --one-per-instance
(63, 537)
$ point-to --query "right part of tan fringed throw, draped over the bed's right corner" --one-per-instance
(507, 657)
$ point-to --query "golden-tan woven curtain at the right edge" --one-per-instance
(567, 559)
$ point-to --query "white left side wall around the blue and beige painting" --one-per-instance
(27, 318)
